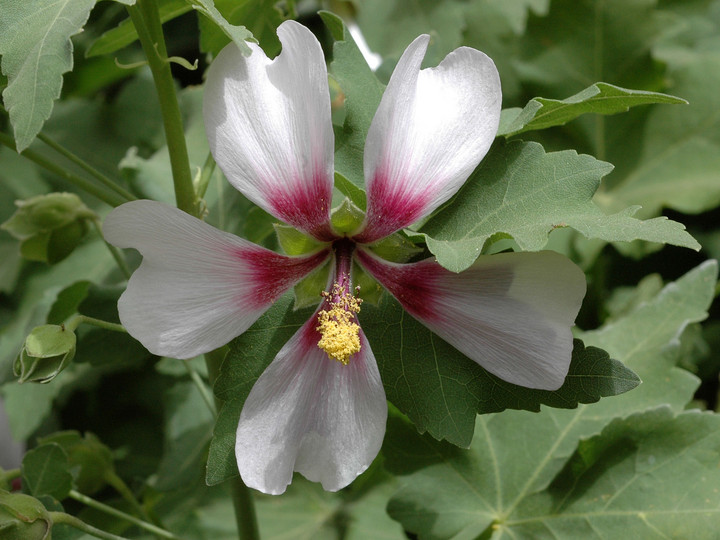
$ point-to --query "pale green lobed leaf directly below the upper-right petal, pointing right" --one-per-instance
(522, 191)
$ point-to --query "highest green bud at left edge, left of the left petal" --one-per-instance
(49, 226)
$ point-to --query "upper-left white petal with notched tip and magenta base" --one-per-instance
(268, 125)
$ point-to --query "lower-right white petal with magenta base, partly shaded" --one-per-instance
(511, 313)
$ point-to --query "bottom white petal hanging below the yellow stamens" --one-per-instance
(311, 414)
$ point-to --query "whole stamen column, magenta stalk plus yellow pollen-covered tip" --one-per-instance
(337, 321)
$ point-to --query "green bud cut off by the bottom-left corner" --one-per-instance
(23, 518)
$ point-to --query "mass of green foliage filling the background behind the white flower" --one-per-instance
(609, 141)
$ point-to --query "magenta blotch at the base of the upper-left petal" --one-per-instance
(305, 205)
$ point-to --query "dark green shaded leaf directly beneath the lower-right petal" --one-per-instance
(441, 390)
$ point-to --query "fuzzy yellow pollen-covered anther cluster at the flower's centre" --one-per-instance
(340, 334)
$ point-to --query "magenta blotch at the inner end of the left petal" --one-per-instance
(273, 274)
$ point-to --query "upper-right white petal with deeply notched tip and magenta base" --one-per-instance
(430, 131)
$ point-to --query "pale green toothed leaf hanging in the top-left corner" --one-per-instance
(36, 50)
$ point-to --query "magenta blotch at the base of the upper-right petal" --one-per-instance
(391, 207)
